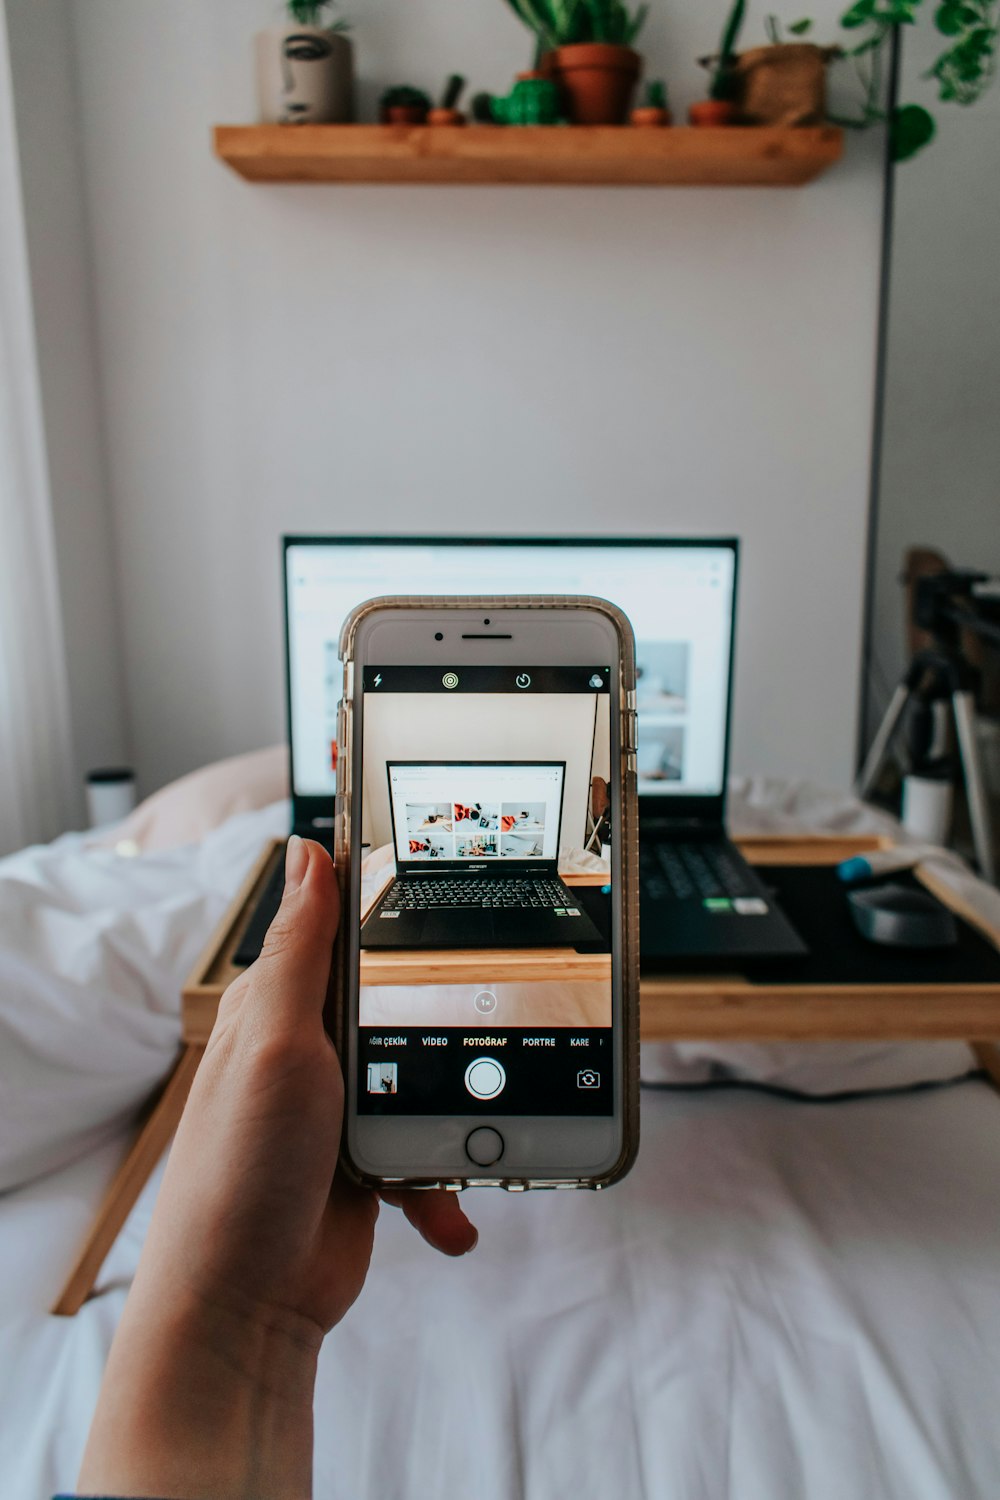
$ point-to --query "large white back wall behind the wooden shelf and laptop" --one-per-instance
(392, 359)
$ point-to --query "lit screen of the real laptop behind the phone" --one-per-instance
(680, 598)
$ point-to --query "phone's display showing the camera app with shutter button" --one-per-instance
(487, 877)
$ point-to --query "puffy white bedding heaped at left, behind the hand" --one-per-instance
(94, 953)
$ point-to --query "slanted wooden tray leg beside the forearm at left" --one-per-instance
(128, 1183)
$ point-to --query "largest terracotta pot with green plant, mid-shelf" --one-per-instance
(587, 46)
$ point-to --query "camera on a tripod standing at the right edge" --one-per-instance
(960, 614)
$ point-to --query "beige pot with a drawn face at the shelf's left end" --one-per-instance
(305, 67)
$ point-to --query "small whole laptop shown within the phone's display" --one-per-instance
(476, 848)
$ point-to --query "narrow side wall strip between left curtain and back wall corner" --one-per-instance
(47, 115)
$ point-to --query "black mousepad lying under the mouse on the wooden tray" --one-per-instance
(816, 905)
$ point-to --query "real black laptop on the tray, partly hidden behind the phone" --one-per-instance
(701, 901)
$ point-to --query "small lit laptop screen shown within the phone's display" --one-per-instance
(463, 812)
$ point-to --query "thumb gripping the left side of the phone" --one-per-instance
(290, 979)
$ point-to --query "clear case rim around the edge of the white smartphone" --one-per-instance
(338, 1018)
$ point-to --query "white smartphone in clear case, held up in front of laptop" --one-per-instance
(488, 991)
